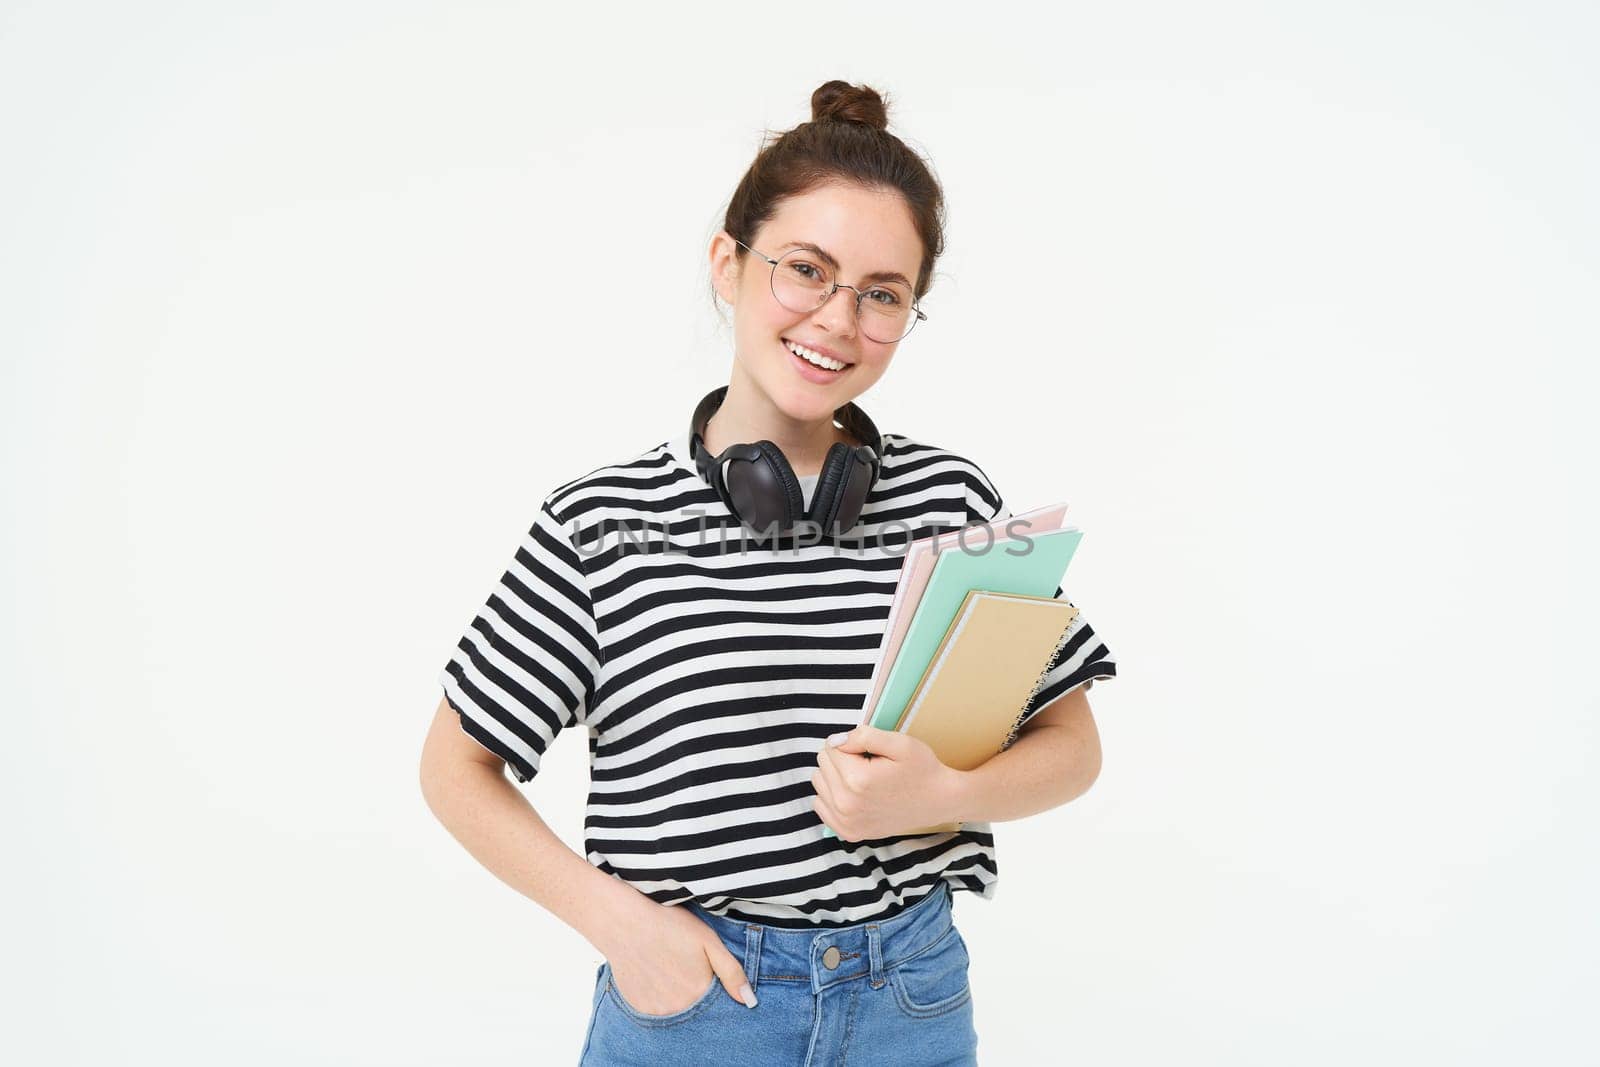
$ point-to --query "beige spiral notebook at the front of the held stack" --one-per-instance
(996, 655)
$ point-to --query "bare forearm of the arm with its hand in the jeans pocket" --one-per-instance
(489, 815)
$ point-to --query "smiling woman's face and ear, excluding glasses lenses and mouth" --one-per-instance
(865, 231)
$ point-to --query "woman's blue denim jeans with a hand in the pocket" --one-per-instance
(886, 993)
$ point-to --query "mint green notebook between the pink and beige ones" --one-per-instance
(1036, 573)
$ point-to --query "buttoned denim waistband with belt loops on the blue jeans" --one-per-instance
(836, 954)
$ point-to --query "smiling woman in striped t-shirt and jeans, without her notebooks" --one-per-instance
(711, 612)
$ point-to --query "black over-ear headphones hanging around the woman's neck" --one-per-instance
(762, 490)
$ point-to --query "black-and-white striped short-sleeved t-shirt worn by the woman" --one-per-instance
(708, 668)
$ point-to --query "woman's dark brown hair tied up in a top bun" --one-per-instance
(847, 140)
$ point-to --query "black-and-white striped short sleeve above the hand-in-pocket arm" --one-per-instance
(529, 661)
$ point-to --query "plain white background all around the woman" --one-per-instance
(305, 310)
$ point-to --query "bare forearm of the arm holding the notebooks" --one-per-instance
(1044, 769)
